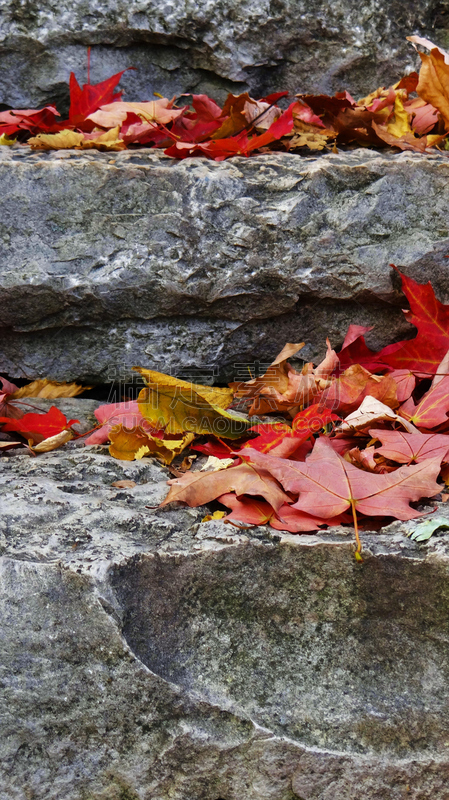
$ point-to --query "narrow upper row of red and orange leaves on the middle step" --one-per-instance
(411, 115)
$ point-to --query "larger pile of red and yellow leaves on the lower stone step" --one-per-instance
(362, 435)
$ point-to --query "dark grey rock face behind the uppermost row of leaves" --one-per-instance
(215, 46)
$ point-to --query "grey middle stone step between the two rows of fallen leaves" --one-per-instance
(110, 260)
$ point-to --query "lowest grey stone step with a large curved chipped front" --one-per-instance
(149, 656)
